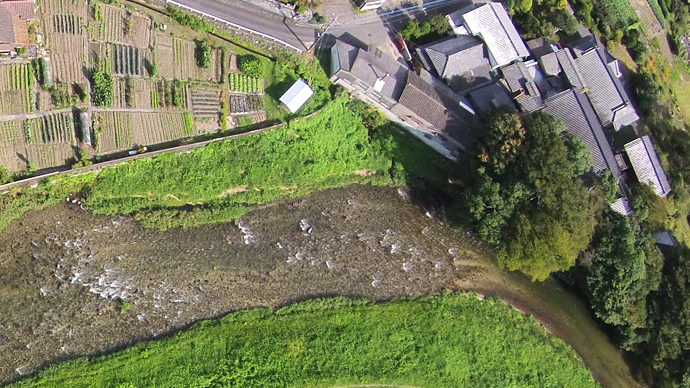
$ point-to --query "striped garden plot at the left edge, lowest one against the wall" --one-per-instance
(44, 141)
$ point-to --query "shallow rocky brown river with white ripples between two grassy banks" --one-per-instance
(64, 274)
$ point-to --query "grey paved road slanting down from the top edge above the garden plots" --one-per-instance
(257, 19)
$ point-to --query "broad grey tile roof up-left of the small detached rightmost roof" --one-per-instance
(603, 88)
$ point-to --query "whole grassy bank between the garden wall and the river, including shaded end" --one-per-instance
(224, 180)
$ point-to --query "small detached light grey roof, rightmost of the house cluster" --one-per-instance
(647, 166)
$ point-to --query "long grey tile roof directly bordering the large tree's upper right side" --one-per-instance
(574, 109)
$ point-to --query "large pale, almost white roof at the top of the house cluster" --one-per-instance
(491, 23)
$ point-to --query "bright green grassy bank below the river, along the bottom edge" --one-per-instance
(449, 341)
